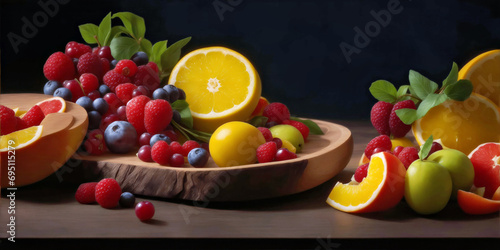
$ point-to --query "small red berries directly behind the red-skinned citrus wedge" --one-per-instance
(382, 143)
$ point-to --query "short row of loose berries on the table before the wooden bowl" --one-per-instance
(108, 194)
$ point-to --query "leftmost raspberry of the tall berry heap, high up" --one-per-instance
(59, 67)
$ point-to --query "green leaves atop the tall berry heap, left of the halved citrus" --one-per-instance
(127, 39)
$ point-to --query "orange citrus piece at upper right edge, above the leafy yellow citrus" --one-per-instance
(484, 73)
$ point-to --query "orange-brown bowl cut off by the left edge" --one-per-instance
(61, 136)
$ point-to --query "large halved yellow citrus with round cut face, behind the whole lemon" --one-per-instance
(221, 85)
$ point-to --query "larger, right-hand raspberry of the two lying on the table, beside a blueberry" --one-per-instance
(107, 193)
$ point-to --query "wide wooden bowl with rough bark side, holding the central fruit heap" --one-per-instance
(322, 158)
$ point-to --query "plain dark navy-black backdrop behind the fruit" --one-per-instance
(295, 45)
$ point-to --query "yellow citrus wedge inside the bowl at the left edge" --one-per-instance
(21, 138)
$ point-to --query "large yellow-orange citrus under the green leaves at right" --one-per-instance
(460, 125)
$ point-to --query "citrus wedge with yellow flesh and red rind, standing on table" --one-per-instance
(381, 189)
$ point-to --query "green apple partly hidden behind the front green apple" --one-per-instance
(459, 166)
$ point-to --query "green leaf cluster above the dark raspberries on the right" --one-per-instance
(425, 93)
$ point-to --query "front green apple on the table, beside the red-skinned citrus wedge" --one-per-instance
(428, 186)
